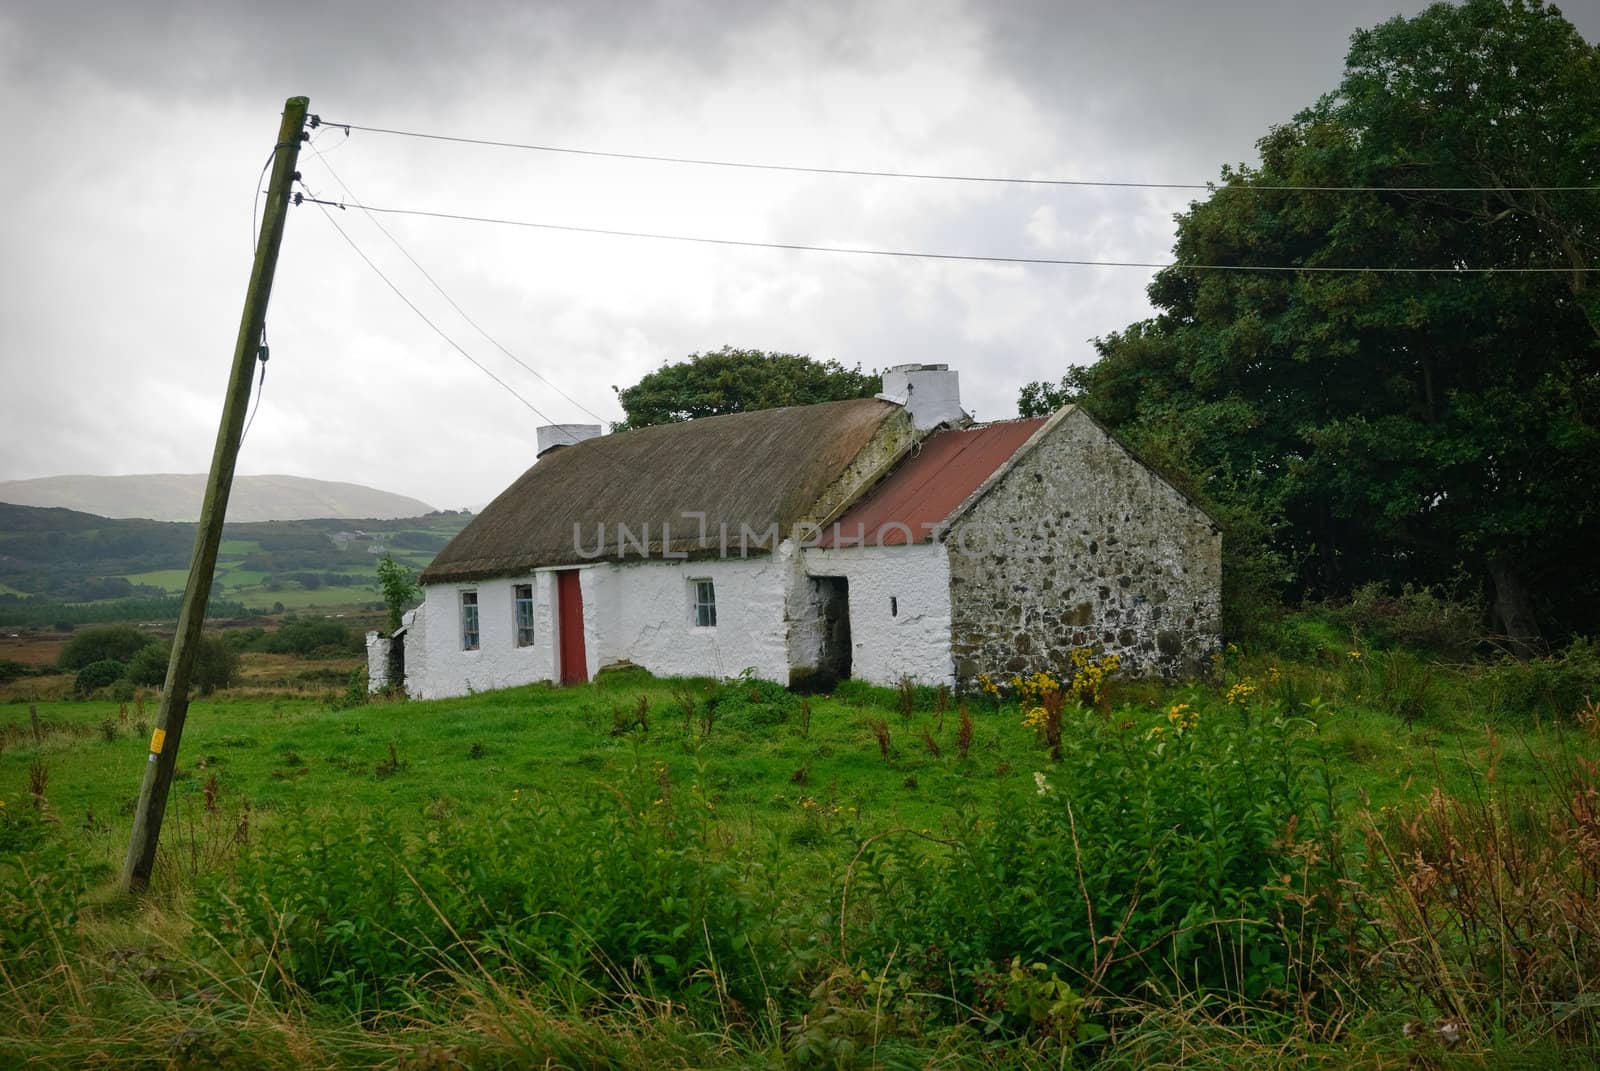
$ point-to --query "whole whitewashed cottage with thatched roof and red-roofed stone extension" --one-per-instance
(874, 539)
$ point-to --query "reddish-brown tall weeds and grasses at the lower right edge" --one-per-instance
(1489, 905)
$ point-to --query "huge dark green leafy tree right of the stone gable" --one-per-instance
(1378, 423)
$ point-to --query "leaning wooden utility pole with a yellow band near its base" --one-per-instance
(175, 697)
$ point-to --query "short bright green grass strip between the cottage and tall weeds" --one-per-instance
(478, 752)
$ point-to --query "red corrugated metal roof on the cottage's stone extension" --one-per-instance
(927, 489)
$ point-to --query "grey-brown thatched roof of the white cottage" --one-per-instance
(743, 471)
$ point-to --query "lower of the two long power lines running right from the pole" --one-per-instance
(950, 257)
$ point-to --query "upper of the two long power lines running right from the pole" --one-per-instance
(946, 178)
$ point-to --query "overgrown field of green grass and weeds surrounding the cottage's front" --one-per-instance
(663, 825)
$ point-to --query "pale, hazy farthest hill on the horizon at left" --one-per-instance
(175, 497)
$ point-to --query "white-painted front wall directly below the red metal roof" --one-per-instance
(916, 641)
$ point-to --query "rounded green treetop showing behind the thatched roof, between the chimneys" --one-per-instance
(738, 382)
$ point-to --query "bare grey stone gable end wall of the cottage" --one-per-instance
(1081, 545)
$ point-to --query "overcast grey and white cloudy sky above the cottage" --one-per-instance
(138, 132)
